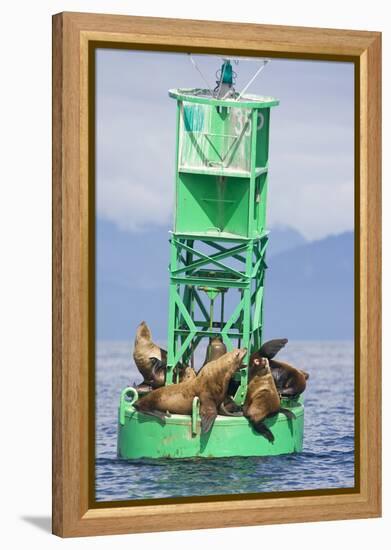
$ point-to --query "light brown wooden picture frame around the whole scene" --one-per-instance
(75, 35)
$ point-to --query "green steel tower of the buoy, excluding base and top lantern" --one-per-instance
(219, 237)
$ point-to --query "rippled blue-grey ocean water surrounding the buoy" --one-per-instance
(326, 462)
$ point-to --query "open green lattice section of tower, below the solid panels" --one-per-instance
(192, 269)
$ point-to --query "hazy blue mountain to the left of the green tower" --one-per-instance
(131, 281)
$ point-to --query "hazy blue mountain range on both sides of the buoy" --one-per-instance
(308, 294)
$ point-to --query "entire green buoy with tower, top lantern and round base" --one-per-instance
(217, 258)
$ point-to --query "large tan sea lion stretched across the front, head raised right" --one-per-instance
(210, 386)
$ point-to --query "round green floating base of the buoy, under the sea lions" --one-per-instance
(179, 436)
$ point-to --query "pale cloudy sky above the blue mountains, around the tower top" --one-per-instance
(311, 160)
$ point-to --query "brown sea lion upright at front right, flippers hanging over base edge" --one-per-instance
(262, 399)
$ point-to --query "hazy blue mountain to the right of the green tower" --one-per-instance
(309, 290)
